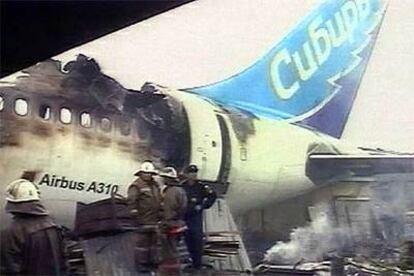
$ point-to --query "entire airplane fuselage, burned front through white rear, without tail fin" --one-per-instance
(83, 136)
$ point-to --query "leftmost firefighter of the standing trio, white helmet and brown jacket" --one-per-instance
(144, 201)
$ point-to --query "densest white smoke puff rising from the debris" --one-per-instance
(311, 242)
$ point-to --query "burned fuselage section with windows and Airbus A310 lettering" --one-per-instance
(82, 135)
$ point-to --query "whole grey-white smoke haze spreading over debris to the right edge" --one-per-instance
(373, 226)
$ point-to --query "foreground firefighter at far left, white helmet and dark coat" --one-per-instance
(33, 244)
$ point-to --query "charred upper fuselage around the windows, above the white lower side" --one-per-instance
(82, 108)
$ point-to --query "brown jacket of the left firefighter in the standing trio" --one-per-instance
(144, 200)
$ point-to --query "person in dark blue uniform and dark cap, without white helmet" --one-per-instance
(199, 197)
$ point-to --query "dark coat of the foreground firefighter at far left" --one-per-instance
(32, 245)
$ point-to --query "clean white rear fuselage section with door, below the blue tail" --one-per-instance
(265, 166)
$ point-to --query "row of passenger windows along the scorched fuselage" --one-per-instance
(21, 108)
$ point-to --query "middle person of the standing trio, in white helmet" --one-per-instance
(174, 207)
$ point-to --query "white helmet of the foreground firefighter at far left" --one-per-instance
(22, 190)
